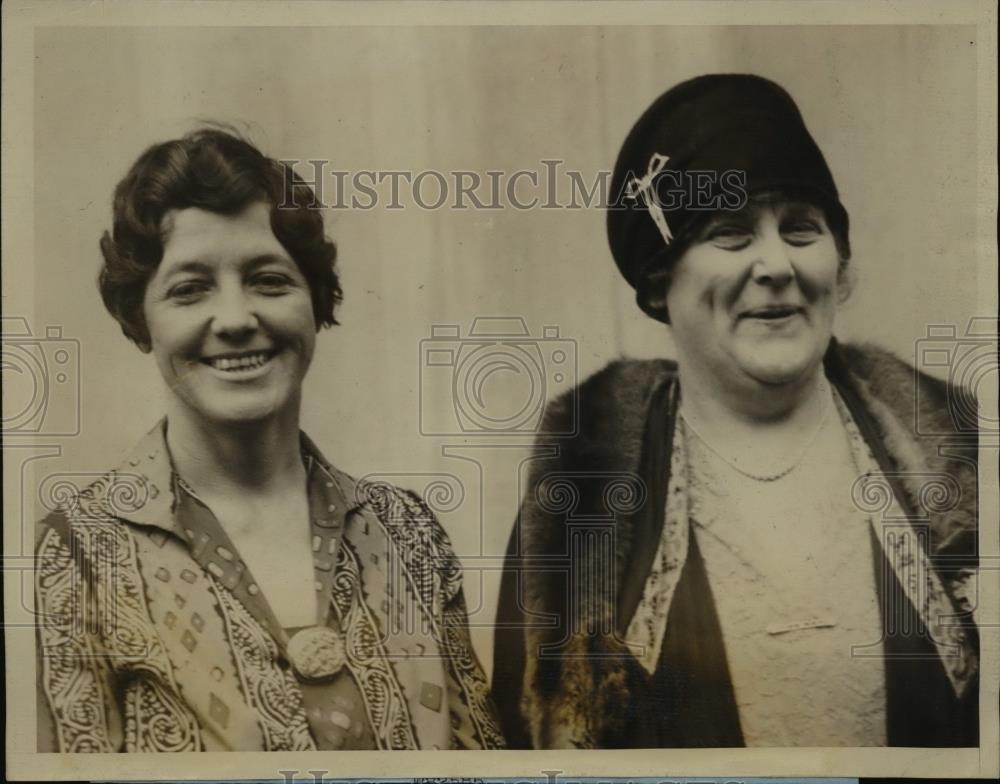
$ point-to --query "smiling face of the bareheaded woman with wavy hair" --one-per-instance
(230, 316)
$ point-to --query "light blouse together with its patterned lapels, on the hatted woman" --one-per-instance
(812, 508)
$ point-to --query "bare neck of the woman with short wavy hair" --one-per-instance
(248, 459)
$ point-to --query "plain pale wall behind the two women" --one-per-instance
(892, 108)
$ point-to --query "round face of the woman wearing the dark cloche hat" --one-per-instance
(753, 298)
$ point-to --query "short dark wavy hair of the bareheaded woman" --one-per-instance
(214, 169)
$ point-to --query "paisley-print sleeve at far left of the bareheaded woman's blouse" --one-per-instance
(77, 664)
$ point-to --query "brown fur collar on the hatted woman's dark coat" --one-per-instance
(574, 695)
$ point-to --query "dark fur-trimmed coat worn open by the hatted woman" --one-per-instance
(563, 676)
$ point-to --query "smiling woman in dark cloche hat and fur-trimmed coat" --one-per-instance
(784, 562)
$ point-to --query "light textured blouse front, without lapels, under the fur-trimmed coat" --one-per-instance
(789, 563)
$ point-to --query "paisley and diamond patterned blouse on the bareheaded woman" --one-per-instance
(153, 636)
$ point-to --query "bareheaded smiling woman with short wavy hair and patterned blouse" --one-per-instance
(226, 588)
